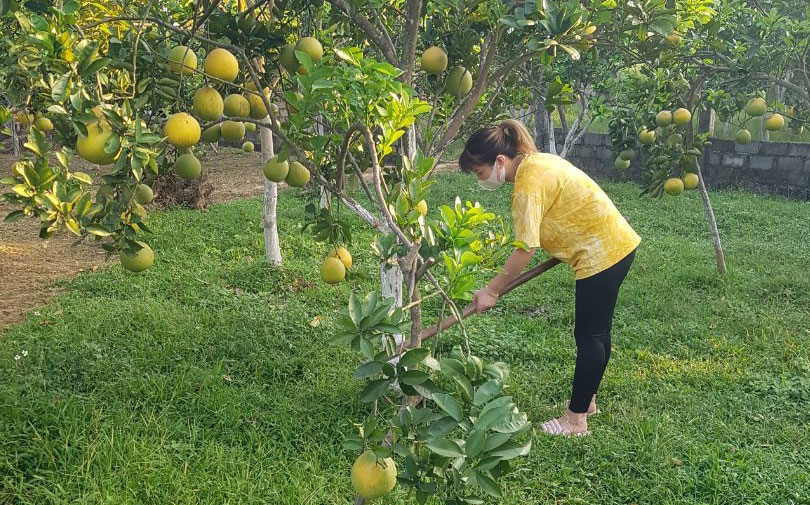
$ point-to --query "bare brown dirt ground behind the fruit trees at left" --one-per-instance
(29, 266)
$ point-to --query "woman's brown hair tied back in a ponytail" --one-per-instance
(508, 138)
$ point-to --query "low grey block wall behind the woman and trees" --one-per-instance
(762, 167)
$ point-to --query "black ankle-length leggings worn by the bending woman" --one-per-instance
(595, 302)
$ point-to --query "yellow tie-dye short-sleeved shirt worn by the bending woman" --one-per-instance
(556, 206)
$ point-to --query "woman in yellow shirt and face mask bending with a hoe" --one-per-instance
(558, 207)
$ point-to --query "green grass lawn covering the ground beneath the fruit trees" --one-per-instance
(202, 380)
